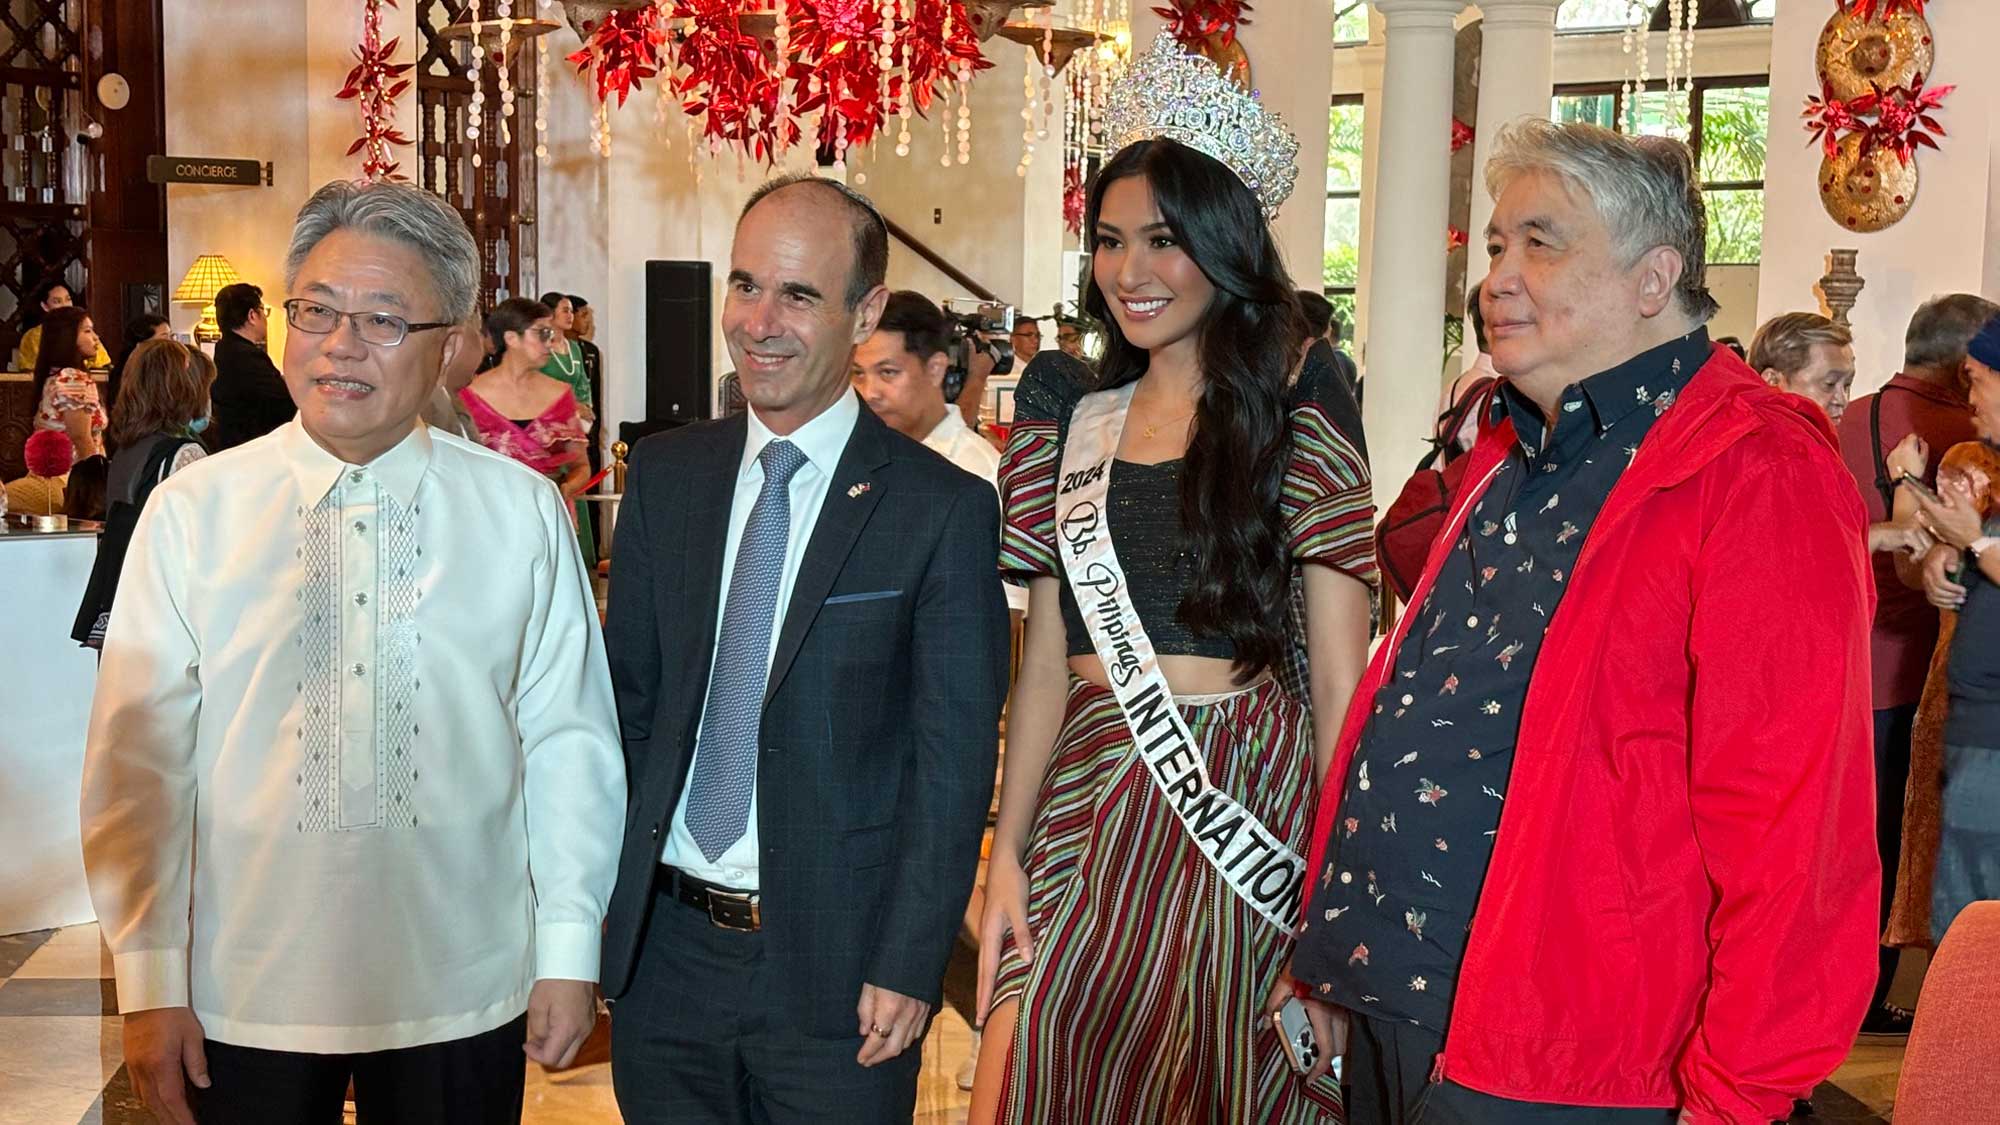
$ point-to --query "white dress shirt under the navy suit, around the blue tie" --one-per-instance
(823, 441)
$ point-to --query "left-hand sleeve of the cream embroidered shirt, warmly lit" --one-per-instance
(139, 790)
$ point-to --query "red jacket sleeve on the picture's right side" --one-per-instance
(1783, 792)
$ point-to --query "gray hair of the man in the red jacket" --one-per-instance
(1643, 187)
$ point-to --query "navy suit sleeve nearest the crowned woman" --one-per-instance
(959, 680)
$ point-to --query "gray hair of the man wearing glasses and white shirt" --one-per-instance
(401, 213)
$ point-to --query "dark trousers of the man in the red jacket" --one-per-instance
(1387, 1078)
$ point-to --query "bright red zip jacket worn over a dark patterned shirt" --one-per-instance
(1681, 908)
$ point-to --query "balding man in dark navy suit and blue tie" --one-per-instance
(809, 648)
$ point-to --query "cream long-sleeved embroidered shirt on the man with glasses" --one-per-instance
(353, 778)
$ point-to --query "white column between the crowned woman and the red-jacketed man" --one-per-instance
(1407, 279)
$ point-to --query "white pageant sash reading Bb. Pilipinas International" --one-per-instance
(1255, 864)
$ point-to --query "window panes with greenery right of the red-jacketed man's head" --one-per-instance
(1729, 123)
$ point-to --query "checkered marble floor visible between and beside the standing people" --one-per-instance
(61, 1054)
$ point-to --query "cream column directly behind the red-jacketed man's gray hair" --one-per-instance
(1517, 81)
